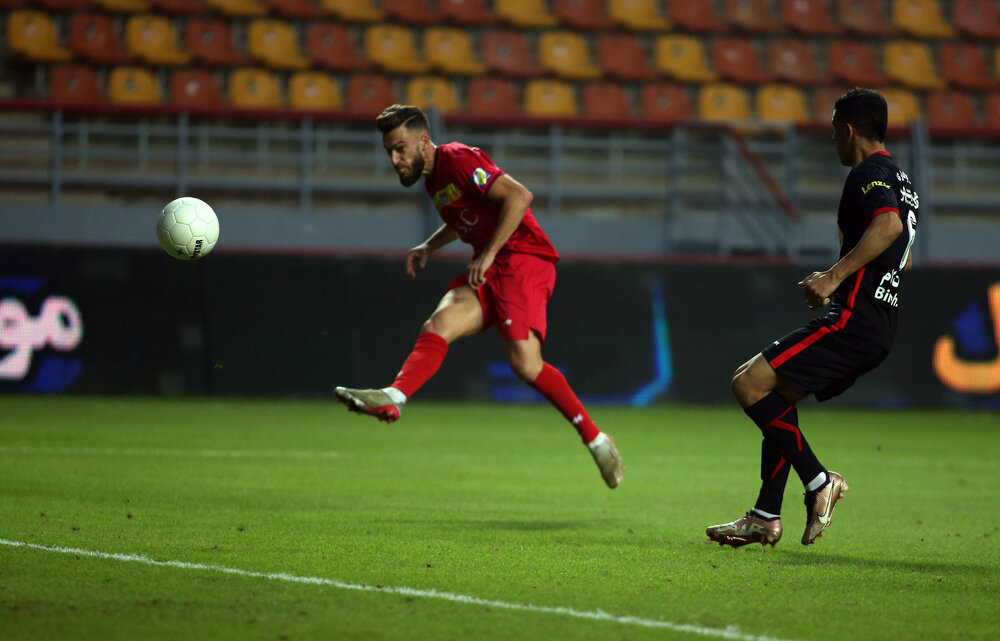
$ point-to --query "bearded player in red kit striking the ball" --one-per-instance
(508, 283)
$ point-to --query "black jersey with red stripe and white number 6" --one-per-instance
(866, 303)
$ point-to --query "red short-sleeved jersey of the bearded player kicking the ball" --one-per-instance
(462, 176)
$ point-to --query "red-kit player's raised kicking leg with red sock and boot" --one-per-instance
(458, 314)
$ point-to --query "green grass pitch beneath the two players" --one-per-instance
(152, 519)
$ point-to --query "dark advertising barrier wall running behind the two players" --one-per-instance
(91, 320)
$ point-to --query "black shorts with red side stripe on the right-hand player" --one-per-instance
(820, 360)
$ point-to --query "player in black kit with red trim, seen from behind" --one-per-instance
(877, 220)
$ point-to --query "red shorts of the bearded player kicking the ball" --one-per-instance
(517, 291)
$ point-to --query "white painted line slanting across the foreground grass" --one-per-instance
(727, 633)
